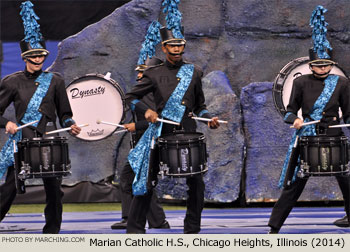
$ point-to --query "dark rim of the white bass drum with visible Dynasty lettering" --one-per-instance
(116, 85)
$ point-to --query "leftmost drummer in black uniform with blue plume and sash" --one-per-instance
(37, 95)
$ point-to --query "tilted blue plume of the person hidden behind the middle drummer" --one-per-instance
(152, 39)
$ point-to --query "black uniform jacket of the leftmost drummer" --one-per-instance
(19, 88)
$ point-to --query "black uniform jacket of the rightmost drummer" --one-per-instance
(307, 88)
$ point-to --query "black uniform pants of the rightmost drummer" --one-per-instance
(291, 194)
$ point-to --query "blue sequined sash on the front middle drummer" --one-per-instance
(173, 110)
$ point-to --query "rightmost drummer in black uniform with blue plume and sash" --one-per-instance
(319, 95)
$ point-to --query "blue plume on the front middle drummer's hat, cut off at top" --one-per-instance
(173, 17)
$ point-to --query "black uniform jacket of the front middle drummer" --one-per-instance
(161, 80)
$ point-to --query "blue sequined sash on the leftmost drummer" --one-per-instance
(32, 114)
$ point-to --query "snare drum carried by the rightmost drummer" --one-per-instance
(324, 156)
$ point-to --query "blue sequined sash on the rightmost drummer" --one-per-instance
(310, 130)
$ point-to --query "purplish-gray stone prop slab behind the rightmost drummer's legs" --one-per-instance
(267, 141)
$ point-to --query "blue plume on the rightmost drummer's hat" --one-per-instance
(319, 32)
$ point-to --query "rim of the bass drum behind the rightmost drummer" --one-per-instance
(284, 72)
